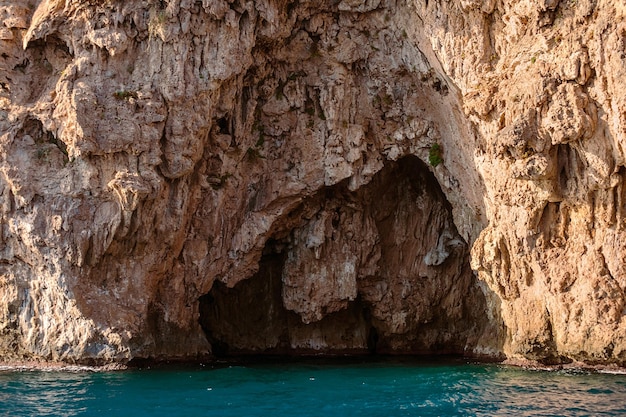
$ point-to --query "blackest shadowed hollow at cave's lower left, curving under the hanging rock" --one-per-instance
(251, 319)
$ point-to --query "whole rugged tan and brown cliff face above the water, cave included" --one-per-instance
(180, 177)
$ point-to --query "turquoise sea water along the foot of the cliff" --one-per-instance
(314, 388)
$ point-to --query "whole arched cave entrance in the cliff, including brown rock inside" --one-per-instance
(378, 270)
